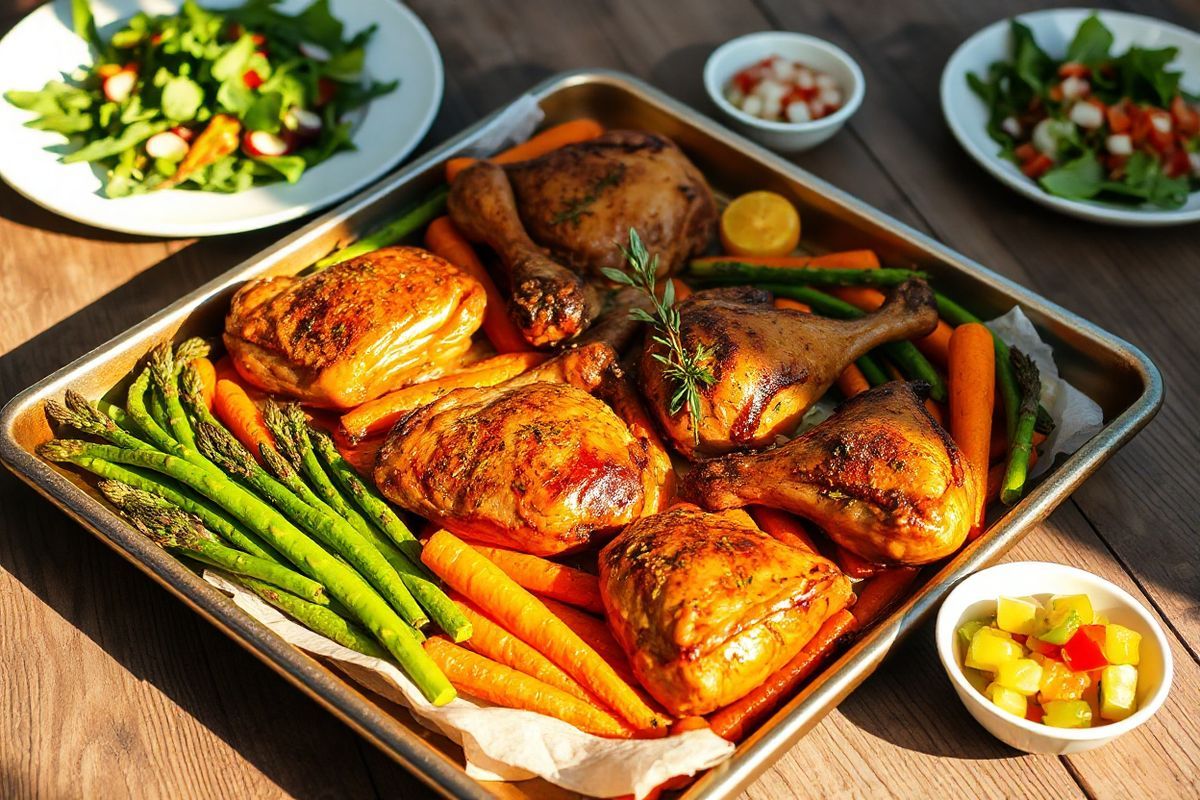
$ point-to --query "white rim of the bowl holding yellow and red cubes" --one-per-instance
(946, 629)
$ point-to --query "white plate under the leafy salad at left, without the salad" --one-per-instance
(43, 46)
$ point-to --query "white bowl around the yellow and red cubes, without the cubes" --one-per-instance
(976, 599)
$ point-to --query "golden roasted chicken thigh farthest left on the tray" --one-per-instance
(357, 330)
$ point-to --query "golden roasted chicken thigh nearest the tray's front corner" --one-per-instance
(707, 606)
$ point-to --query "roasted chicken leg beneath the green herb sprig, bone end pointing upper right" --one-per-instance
(771, 364)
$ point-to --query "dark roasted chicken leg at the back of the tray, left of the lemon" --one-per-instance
(555, 221)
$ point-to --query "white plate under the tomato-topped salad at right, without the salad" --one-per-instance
(1054, 31)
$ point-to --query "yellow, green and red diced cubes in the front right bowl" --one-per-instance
(1059, 663)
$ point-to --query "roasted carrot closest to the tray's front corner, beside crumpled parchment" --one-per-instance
(490, 681)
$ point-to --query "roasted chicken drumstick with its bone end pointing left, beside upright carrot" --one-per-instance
(880, 476)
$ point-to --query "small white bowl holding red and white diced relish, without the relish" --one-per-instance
(787, 137)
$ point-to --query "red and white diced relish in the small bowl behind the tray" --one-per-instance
(782, 91)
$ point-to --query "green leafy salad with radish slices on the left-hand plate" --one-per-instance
(208, 100)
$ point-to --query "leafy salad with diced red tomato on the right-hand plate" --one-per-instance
(1095, 125)
